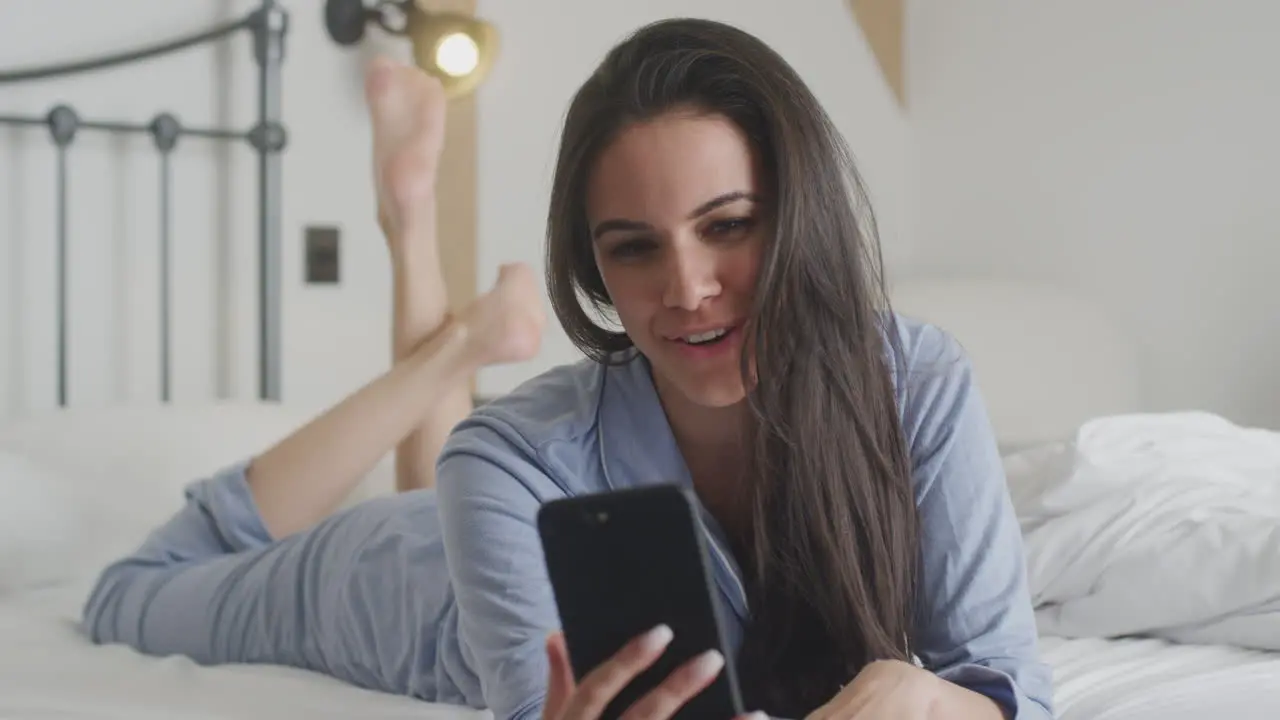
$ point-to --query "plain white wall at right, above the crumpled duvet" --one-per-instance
(1128, 151)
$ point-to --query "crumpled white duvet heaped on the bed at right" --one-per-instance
(1165, 526)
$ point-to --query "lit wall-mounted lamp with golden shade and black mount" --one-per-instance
(455, 48)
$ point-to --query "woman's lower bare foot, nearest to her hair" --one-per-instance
(506, 323)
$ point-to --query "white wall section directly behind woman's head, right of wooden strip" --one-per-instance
(550, 48)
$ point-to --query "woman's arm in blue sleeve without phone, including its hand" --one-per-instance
(976, 632)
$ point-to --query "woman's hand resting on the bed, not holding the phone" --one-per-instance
(886, 689)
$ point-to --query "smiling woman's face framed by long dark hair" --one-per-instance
(678, 224)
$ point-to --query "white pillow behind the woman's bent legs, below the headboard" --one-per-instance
(122, 471)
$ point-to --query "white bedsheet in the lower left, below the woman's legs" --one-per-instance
(49, 672)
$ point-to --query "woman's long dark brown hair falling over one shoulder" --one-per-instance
(831, 560)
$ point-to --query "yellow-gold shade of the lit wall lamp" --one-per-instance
(455, 48)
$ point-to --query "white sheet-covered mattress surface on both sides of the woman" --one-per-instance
(49, 672)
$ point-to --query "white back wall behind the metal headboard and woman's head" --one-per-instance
(550, 47)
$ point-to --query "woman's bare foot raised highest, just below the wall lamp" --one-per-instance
(406, 110)
